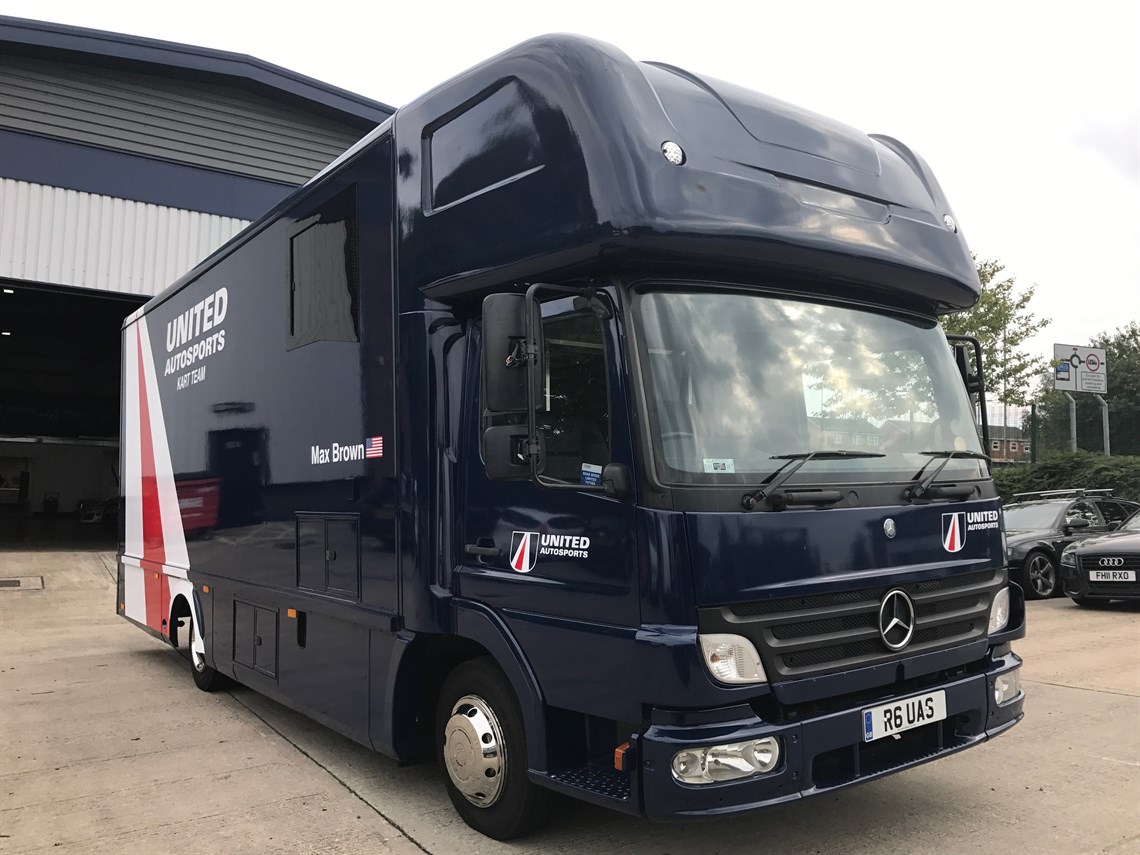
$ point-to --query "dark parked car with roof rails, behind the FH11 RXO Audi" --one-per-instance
(1039, 528)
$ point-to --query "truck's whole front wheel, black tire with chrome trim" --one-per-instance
(483, 752)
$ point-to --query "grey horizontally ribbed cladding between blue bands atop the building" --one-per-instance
(177, 120)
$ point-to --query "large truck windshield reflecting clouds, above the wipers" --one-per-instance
(736, 382)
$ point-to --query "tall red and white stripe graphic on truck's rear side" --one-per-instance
(156, 544)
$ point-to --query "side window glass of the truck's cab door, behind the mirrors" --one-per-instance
(574, 413)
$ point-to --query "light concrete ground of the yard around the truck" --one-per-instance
(107, 746)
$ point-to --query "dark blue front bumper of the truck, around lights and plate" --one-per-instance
(821, 753)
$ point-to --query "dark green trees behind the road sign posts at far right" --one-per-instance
(1122, 355)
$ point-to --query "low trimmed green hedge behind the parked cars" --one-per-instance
(1065, 471)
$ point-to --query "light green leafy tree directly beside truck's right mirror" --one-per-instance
(1003, 322)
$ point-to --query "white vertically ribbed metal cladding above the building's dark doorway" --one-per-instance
(66, 238)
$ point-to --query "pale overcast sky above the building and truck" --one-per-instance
(1029, 113)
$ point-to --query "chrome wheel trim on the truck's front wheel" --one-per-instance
(475, 752)
